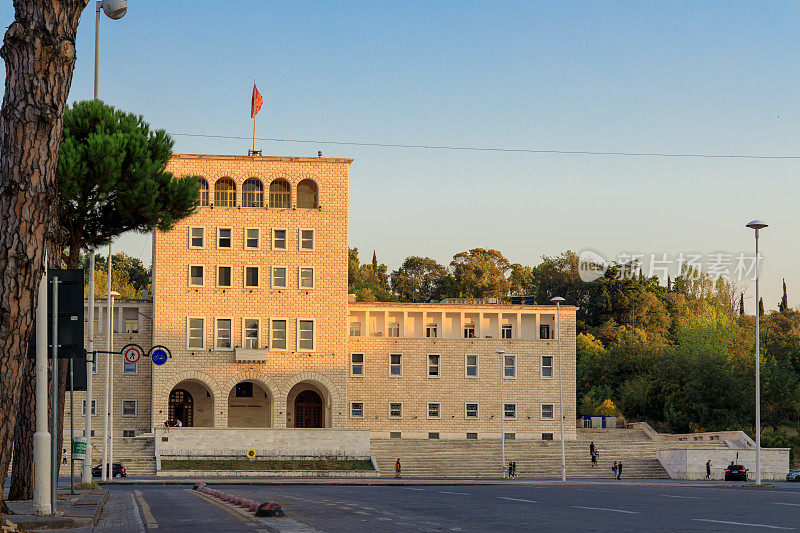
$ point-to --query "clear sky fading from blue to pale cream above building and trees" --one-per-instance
(694, 77)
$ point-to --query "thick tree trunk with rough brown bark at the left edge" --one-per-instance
(39, 54)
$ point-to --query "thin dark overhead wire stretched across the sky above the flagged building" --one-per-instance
(495, 149)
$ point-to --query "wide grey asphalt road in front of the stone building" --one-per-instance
(585, 506)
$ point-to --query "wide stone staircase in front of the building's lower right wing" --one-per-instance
(535, 459)
